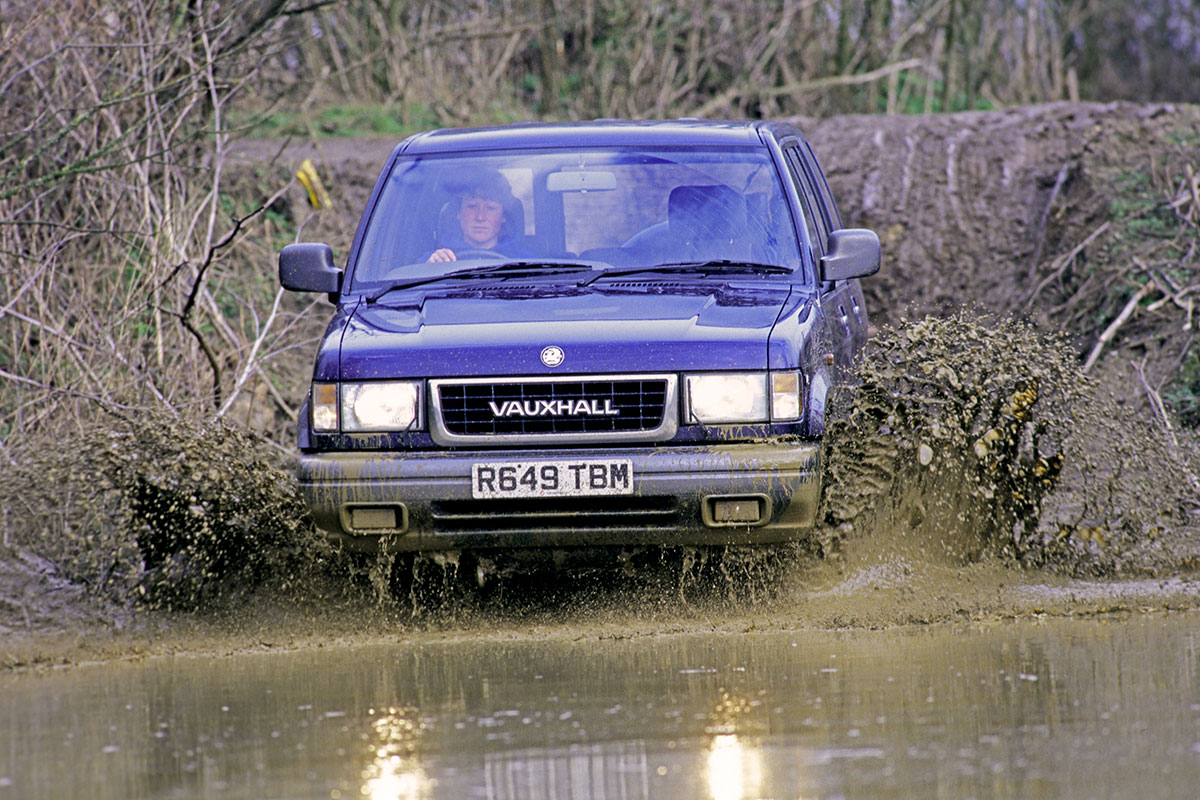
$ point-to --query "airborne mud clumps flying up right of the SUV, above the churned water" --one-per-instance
(971, 436)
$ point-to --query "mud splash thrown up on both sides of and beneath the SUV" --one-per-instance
(973, 455)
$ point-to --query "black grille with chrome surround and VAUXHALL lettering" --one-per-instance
(548, 408)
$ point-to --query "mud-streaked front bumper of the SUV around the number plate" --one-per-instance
(423, 501)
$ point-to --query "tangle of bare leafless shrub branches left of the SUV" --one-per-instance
(116, 219)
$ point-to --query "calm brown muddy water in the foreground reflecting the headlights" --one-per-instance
(1097, 708)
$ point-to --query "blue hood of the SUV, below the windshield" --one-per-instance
(605, 328)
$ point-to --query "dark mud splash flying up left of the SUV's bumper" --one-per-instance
(161, 512)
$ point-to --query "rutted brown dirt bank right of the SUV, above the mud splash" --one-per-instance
(1058, 213)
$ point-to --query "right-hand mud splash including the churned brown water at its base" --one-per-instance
(976, 459)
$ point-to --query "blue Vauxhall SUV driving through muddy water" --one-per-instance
(578, 335)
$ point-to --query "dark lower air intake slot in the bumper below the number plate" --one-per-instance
(545, 515)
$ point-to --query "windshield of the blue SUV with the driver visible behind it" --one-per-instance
(607, 207)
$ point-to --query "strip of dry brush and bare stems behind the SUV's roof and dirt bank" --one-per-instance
(467, 62)
